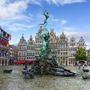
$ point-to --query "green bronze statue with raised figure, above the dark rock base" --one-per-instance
(44, 35)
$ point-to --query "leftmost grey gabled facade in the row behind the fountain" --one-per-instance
(22, 47)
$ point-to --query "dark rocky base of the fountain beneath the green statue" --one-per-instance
(45, 66)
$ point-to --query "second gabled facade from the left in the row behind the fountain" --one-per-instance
(30, 52)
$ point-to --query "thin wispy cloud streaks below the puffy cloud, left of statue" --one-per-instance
(24, 23)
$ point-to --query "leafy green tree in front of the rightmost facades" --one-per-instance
(80, 54)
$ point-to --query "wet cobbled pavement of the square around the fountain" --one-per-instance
(16, 81)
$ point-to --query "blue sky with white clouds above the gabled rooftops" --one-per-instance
(19, 17)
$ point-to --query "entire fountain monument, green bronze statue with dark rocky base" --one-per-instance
(43, 63)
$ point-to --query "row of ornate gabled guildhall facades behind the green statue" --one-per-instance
(60, 47)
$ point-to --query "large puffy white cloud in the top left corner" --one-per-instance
(11, 9)
